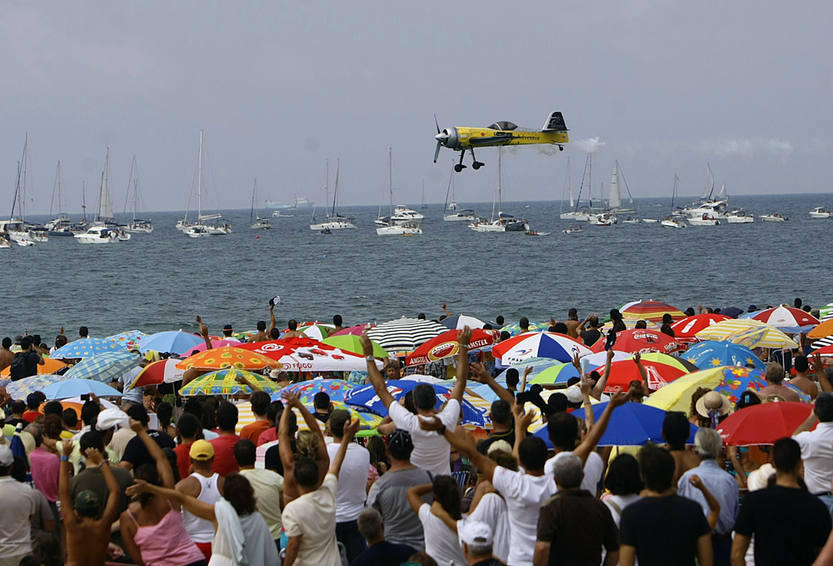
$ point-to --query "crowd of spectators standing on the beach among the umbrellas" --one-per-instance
(165, 480)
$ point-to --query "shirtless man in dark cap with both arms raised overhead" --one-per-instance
(87, 532)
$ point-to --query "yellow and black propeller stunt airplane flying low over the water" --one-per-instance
(500, 133)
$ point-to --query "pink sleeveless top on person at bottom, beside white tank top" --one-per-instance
(166, 543)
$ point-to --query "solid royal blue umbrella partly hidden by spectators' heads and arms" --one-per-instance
(632, 424)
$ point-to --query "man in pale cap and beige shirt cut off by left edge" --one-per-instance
(18, 508)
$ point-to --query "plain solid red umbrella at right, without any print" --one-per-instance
(763, 424)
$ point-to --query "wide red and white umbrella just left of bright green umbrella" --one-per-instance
(305, 354)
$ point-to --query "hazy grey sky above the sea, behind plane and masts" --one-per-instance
(279, 86)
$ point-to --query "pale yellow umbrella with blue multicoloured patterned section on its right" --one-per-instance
(729, 381)
